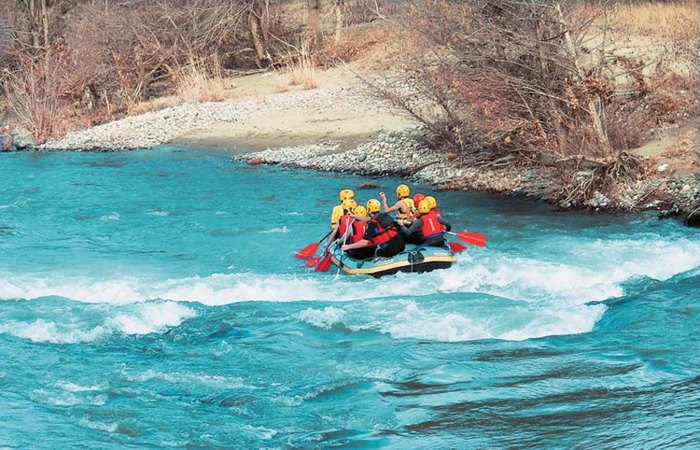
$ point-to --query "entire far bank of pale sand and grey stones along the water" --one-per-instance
(339, 129)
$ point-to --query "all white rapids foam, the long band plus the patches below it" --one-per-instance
(551, 291)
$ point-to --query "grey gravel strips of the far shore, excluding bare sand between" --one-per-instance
(397, 153)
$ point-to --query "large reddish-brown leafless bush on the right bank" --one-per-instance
(506, 75)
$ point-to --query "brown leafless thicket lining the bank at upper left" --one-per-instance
(73, 63)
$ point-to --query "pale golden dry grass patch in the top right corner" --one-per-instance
(673, 20)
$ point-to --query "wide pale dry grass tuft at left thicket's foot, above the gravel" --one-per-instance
(201, 82)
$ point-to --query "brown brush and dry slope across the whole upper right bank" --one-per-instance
(538, 82)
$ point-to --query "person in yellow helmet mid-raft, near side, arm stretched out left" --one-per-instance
(381, 234)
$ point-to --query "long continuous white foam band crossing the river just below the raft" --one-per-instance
(530, 279)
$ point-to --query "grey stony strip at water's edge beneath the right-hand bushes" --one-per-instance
(402, 154)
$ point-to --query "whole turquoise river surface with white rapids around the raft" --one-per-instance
(151, 299)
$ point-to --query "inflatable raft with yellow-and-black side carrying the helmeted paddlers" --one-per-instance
(412, 259)
